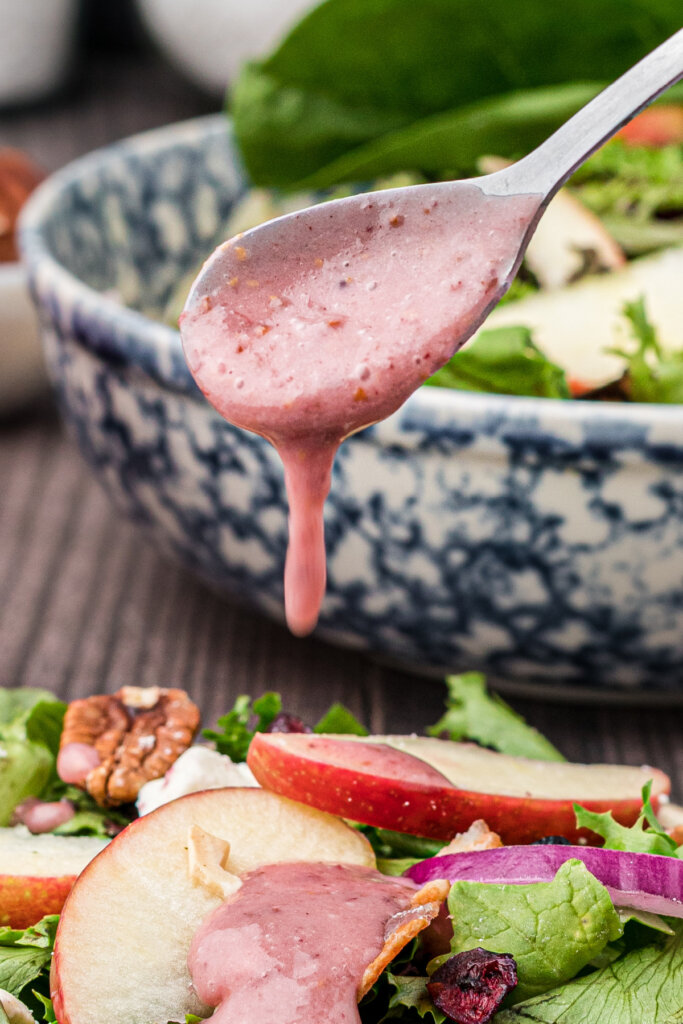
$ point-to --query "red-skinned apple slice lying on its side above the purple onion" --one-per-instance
(438, 788)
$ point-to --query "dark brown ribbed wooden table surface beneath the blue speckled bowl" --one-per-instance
(89, 606)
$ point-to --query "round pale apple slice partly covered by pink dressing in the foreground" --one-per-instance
(124, 935)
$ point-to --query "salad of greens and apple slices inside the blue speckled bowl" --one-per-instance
(345, 99)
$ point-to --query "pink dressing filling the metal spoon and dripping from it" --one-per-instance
(327, 330)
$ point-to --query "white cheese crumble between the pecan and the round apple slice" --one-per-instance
(199, 769)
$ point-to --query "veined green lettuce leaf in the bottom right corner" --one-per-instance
(644, 988)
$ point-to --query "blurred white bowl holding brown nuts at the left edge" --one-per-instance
(23, 374)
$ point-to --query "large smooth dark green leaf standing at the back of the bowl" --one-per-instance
(355, 75)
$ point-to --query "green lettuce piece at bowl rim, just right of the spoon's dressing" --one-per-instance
(503, 361)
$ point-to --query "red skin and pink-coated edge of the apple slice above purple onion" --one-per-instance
(424, 804)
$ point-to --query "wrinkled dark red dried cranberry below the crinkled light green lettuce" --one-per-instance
(469, 988)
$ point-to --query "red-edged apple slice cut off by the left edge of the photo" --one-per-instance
(38, 872)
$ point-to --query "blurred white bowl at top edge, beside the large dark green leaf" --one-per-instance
(208, 40)
